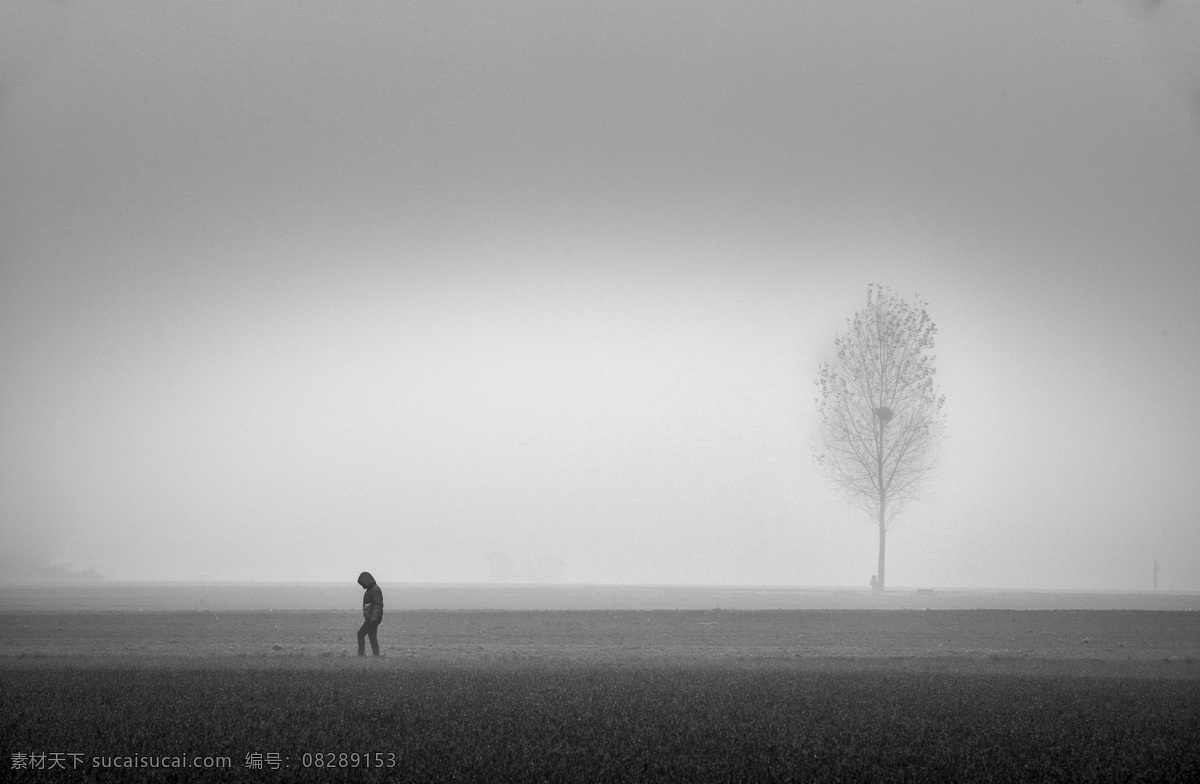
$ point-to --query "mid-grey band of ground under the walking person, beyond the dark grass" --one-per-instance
(616, 636)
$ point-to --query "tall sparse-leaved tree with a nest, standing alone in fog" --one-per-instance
(881, 414)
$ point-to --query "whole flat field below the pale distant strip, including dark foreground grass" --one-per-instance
(613, 696)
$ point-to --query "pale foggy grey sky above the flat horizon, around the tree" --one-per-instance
(295, 290)
